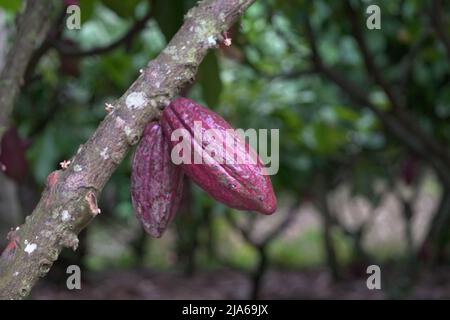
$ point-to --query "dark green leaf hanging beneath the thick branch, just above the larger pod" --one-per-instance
(209, 79)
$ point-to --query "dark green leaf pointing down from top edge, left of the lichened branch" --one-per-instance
(169, 15)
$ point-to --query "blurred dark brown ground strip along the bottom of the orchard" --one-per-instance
(139, 284)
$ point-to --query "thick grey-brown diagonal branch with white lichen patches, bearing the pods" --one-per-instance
(69, 203)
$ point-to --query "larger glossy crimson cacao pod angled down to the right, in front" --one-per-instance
(243, 186)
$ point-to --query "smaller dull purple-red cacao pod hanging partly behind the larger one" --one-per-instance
(156, 183)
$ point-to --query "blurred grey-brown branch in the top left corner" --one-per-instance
(33, 25)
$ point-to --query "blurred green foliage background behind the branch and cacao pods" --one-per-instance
(364, 150)
